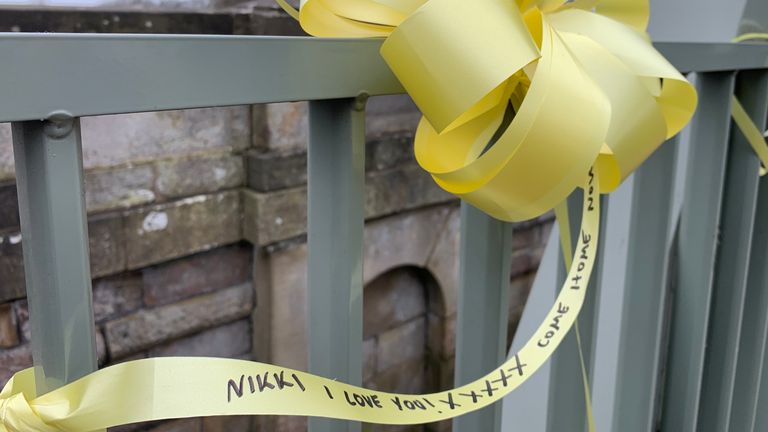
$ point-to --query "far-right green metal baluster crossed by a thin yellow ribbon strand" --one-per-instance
(731, 267)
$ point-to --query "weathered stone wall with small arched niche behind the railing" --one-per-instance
(197, 223)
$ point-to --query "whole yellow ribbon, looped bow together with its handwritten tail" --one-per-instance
(520, 98)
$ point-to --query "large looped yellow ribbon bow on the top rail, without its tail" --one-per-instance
(521, 97)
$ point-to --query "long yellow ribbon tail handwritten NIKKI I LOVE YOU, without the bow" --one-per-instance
(162, 388)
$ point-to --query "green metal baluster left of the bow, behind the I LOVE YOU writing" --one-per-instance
(336, 169)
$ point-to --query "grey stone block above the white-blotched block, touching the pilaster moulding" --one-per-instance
(199, 174)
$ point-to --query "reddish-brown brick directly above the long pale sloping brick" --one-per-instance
(198, 274)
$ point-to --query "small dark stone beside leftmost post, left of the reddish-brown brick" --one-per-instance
(116, 296)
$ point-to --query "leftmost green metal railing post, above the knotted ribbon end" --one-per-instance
(49, 173)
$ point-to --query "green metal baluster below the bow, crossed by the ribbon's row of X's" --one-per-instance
(483, 306)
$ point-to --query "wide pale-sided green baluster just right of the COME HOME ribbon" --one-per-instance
(637, 242)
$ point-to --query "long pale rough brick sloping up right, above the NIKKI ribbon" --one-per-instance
(149, 327)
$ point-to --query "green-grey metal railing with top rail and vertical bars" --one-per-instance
(706, 376)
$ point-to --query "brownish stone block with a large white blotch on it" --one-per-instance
(167, 231)
